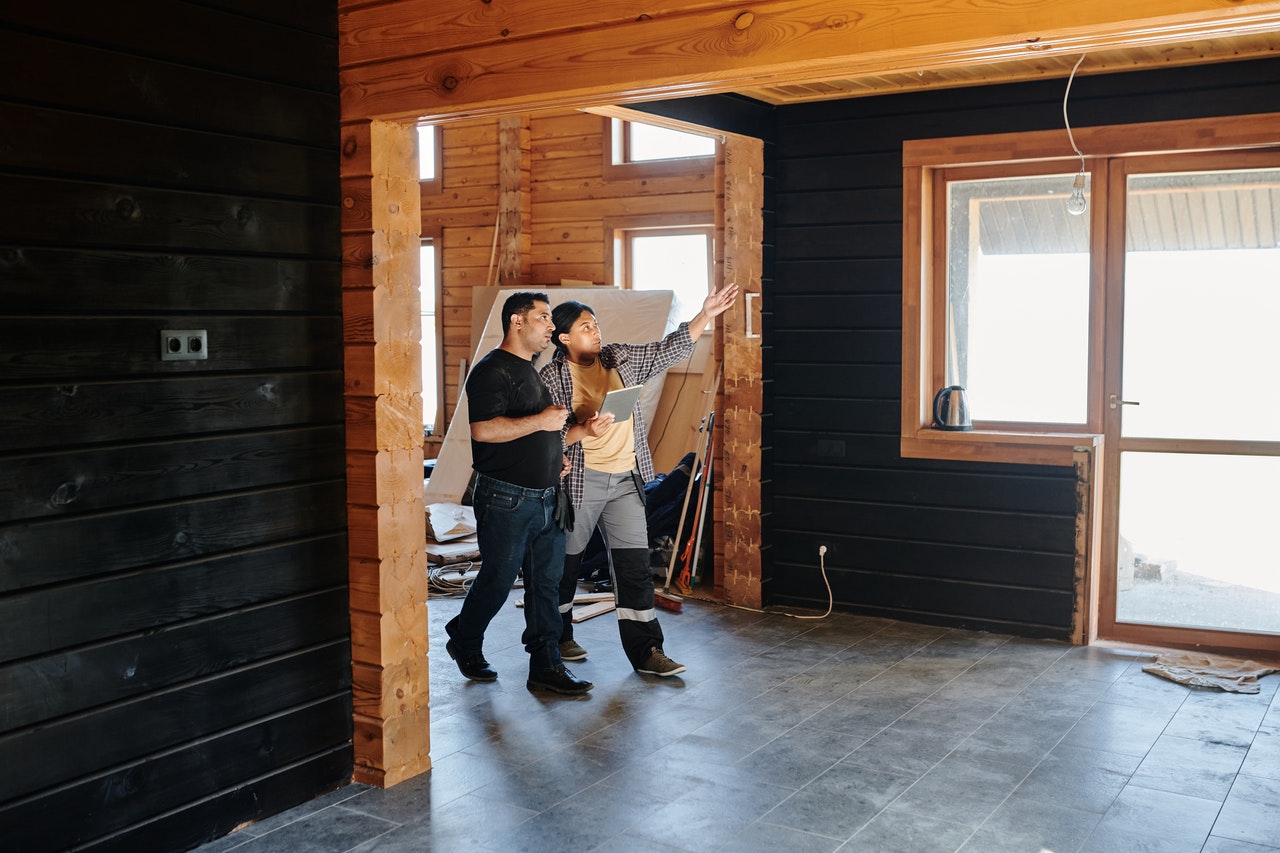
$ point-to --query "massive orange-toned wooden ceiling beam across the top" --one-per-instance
(460, 60)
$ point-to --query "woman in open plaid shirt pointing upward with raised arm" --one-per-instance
(610, 463)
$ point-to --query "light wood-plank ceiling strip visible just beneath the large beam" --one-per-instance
(1039, 65)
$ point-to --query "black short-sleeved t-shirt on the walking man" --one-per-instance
(506, 386)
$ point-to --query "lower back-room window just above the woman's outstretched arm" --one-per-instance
(662, 259)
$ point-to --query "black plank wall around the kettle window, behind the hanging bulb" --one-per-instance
(979, 546)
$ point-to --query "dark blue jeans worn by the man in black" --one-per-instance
(515, 528)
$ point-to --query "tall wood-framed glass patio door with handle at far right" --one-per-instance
(1194, 412)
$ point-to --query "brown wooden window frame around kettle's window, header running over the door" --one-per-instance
(925, 162)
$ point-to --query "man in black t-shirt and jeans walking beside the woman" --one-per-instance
(519, 459)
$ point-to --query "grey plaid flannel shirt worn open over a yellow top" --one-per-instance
(636, 363)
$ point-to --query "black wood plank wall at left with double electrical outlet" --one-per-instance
(173, 580)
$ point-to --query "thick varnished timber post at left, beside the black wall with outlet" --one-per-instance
(387, 526)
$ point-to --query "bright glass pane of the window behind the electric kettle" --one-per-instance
(1017, 298)
